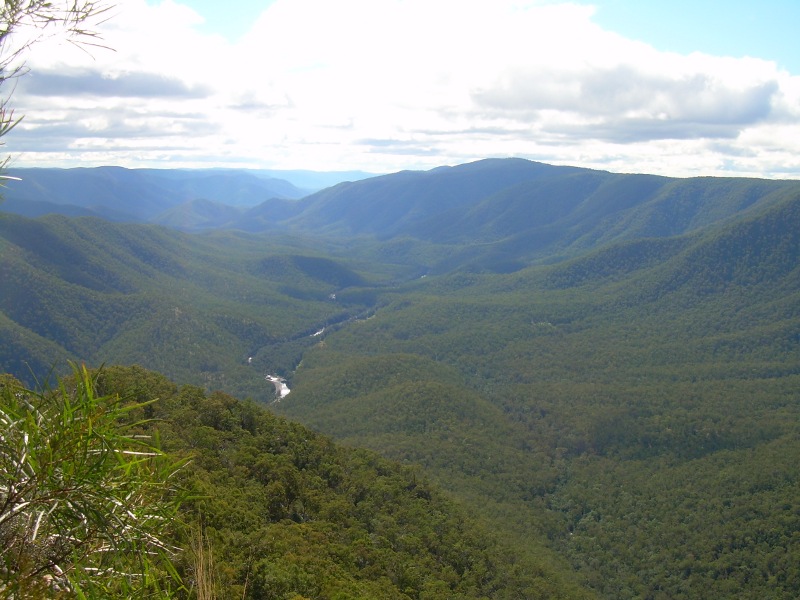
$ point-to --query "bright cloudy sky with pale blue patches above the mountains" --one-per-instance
(680, 88)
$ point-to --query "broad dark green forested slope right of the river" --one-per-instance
(612, 388)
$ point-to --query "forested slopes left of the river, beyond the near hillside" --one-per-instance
(196, 307)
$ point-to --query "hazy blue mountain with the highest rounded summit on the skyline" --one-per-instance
(516, 209)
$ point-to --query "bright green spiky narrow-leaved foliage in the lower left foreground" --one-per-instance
(84, 501)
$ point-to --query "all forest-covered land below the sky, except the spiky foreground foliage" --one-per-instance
(505, 379)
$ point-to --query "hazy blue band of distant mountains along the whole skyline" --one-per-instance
(519, 208)
